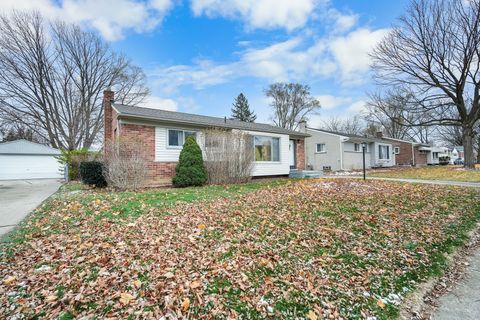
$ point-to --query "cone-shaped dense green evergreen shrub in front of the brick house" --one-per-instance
(190, 170)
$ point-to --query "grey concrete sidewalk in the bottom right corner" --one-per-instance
(463, 302)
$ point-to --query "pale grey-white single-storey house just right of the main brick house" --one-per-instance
(327, 150)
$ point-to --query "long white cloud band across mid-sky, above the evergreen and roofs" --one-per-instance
(343, 58)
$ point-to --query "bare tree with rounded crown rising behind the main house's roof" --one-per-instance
(291, 103)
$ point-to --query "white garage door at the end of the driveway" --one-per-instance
(29, 167)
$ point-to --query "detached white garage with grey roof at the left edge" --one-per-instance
(22, 159)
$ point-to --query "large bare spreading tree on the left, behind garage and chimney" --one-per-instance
(52, 76)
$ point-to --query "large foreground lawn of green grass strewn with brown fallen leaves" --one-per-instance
(302, 249)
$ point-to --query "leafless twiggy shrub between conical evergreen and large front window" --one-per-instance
(228, 156)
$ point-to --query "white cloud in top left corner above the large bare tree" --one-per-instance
(112, 18)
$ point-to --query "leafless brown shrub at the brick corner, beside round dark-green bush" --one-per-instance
(126, 164)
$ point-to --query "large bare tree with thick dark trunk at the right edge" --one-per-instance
(434, 53)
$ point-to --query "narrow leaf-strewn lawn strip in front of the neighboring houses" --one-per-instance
(448, 173)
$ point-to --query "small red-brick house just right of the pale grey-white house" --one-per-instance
(408, 153)
